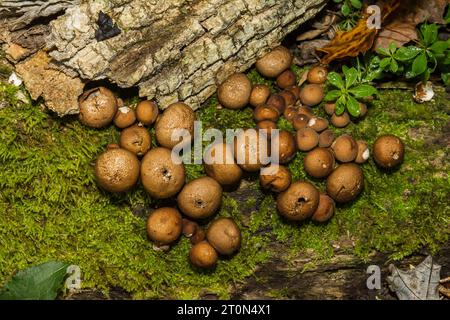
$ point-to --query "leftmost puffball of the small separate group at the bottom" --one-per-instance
(164, 225)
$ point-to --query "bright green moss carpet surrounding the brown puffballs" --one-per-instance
(51, 208)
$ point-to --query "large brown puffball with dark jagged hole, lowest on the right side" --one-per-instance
(299, 201)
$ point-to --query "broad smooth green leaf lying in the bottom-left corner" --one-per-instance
(41, 282)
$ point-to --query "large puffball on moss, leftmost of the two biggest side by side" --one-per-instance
(117, 170)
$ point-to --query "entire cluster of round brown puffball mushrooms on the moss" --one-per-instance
(120, 167)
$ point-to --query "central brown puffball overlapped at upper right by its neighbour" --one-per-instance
(220, 165)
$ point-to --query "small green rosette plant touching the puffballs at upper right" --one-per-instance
(349, 91)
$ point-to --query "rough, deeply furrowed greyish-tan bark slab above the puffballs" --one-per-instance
(172, 50)
